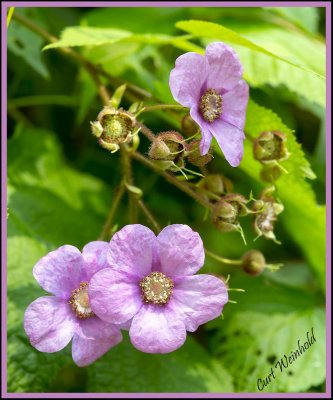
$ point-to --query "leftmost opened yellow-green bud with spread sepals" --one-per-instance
(113, 127)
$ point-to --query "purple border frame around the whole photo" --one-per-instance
(4, 6)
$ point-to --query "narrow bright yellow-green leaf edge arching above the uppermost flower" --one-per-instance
(215, 31)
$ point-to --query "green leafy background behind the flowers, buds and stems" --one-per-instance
(61, 185)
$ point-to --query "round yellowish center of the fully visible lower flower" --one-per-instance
(156, 288)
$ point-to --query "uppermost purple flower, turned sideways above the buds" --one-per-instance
(211, 86)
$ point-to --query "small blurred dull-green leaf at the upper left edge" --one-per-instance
(26, 44)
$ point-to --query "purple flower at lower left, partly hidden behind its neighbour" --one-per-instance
(52, 321)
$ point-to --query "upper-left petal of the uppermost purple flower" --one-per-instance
(187, 78)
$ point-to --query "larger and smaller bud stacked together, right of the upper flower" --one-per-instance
(269, 148)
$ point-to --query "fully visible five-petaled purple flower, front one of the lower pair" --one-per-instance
(151, 281)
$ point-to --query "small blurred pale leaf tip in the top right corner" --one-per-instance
(306, 18)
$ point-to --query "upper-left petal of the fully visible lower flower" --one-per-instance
(132, 250)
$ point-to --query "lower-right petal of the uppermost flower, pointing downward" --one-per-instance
(230, 139)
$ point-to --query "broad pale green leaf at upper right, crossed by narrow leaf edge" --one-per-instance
(262, 70)
